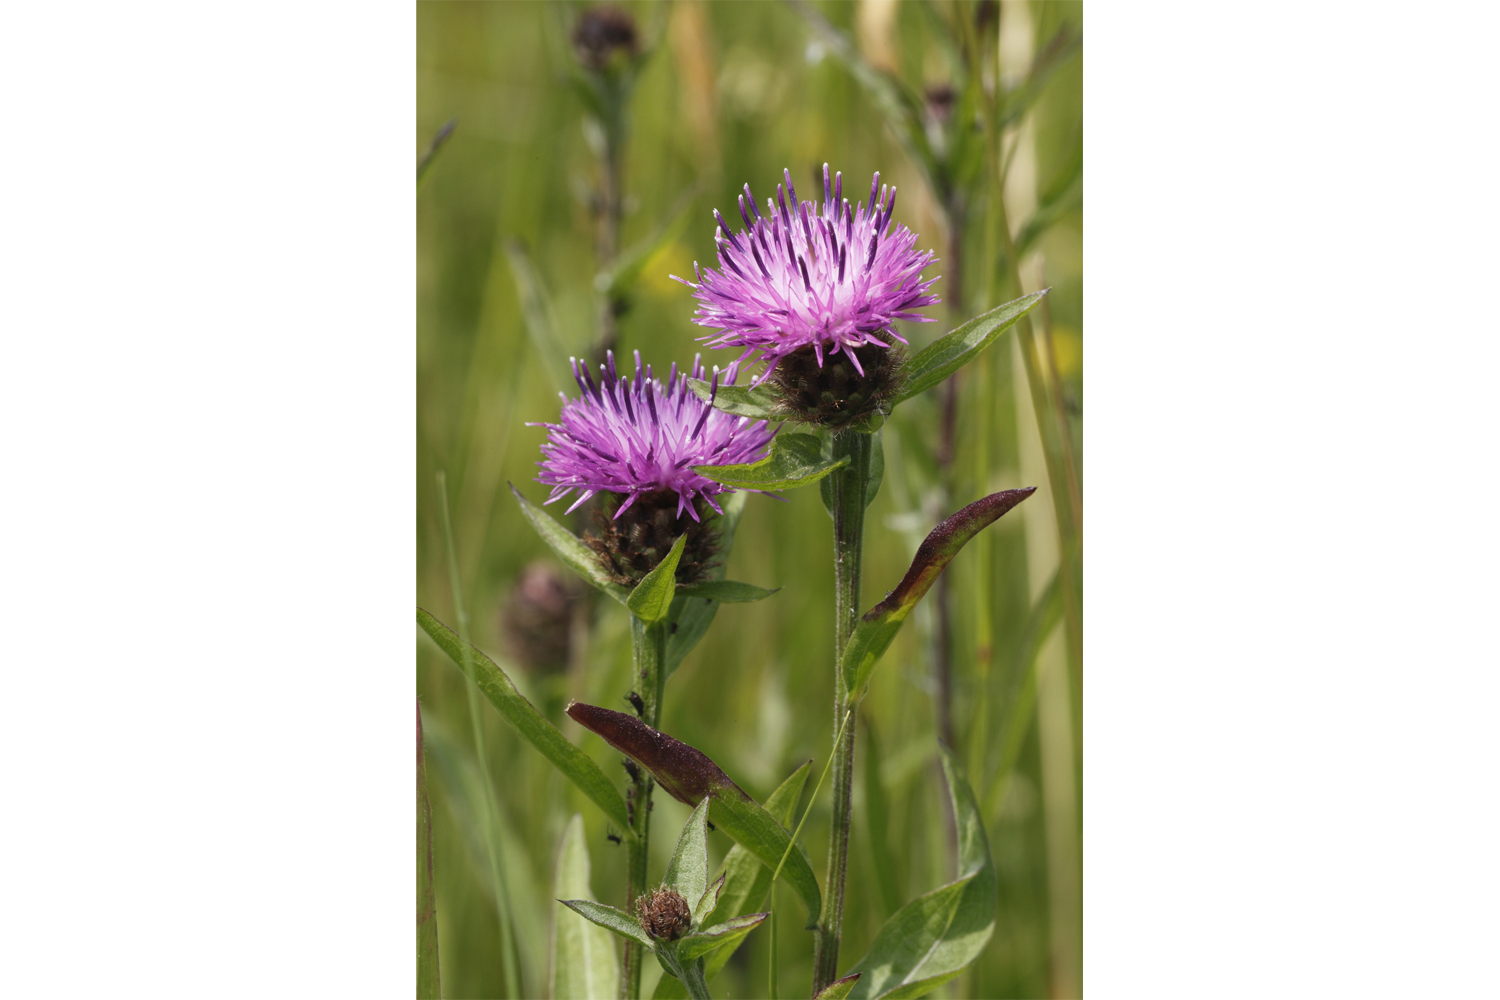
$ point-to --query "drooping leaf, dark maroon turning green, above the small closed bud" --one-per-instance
(688, 774)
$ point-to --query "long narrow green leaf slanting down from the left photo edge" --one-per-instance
(530, 723)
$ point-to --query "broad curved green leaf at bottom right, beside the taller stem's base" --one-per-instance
(935, 938)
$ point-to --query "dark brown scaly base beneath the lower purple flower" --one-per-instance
(634, 545)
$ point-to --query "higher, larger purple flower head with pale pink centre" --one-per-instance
(826, 277)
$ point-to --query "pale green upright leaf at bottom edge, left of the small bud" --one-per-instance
(584, 963)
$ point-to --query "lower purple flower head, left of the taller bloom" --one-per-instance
(637, 437)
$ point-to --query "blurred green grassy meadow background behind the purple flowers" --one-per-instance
(733, 94)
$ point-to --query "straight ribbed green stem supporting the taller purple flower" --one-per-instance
(848, 507)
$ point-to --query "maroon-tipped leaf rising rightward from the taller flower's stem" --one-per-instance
(878, 627)
